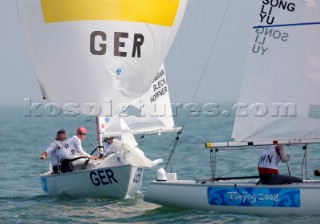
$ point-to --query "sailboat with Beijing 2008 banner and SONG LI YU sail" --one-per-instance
(279, 104)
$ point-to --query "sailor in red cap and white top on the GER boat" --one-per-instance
(72, 147)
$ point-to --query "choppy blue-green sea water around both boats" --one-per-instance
(23, 138)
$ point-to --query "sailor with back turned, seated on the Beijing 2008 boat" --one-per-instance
(267, 166)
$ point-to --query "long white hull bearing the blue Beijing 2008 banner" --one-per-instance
(242, 196)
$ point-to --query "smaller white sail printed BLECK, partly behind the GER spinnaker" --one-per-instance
(150, 113)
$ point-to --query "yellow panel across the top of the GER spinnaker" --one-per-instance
(158, 12)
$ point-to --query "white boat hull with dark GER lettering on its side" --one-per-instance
(102, 178)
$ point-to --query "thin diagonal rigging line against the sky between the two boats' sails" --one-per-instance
(209, 58)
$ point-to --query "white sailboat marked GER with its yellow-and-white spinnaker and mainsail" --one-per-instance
(104, 58)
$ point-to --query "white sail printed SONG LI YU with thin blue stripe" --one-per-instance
(280, 95)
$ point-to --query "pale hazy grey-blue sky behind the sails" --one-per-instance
(184, 63)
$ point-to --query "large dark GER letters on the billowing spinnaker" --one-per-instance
(98, 44)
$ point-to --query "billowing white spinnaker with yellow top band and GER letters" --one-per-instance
(77, 61)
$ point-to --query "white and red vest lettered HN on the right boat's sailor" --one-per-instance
(269, 160)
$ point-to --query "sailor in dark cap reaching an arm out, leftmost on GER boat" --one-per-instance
(53, 148)
